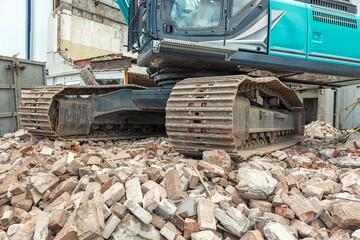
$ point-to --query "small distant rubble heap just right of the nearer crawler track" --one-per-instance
(319, 131)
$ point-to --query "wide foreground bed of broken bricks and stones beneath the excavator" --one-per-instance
(143, 190)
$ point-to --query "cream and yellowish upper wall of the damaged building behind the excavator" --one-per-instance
(90, 28)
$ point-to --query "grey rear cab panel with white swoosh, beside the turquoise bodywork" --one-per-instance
(247, 25)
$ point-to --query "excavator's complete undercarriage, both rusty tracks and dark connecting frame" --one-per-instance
(239, 114)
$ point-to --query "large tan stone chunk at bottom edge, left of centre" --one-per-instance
(90, 220)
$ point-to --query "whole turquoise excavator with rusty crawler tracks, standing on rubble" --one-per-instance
(222, 69)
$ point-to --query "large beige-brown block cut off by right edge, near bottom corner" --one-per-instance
(346, 214)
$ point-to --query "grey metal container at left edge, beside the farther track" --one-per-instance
(16, 77)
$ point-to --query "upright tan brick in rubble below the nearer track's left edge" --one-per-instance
(173, 185)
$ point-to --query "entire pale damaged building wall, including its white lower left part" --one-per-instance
(84, 29)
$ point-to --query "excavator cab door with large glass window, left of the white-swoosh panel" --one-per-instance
(192, 20)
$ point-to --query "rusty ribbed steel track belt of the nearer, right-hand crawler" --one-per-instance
(200, 115)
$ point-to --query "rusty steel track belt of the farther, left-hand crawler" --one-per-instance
(38, 113)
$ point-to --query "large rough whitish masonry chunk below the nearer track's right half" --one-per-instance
(255, 184)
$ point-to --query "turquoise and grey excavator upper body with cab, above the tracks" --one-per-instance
(233, 36)
